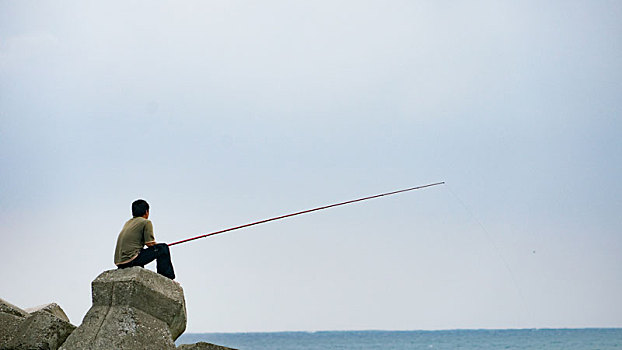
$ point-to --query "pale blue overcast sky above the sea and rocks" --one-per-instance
(220, 113)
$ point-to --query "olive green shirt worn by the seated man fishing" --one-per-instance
(135, 234)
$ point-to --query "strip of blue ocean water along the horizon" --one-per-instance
(540, 339)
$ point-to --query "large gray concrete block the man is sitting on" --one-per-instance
(133, 308)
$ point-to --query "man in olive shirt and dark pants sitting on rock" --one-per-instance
(136, 233)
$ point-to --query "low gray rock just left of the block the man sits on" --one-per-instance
(41, 330)
